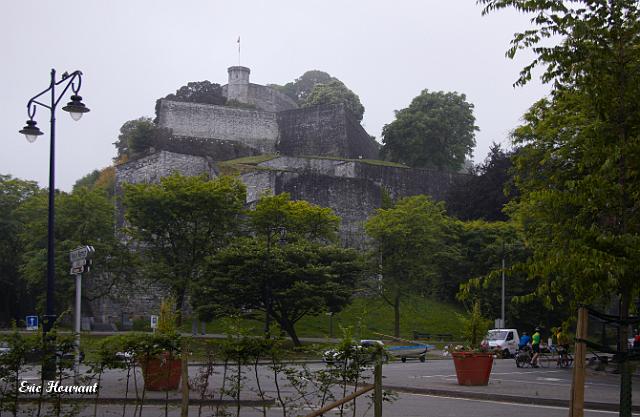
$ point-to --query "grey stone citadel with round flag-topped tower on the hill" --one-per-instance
(320, 154)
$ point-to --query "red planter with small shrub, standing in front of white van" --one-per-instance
(473, 362)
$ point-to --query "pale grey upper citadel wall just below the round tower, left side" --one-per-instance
(254, 128)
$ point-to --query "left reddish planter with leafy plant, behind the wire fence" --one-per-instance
(158, 354)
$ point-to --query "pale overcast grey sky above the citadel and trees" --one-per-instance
(132, 52)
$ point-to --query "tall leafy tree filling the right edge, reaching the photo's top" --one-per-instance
(579, 171)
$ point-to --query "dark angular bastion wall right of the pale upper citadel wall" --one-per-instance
(325, 130)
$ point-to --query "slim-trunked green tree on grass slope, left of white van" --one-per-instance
(408, 248)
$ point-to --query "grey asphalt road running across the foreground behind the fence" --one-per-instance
(424, 389)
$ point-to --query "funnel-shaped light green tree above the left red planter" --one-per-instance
(179, 223)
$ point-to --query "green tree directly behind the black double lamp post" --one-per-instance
(84, 217)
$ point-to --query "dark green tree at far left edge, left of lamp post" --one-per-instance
(14, 301)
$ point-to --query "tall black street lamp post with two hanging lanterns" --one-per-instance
(31, 131)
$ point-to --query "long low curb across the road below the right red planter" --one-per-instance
(588, 405)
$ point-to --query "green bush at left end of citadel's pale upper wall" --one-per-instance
(138, 136)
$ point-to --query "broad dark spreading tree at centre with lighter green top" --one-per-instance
(287, 268)
